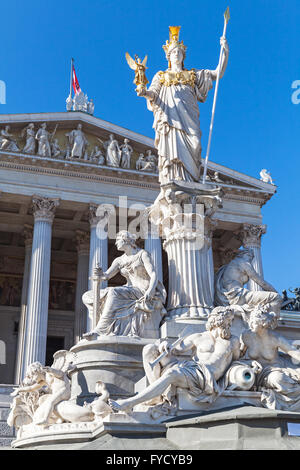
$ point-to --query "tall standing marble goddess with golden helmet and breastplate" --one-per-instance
(173, 96)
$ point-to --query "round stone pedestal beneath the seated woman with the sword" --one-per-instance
(116, 360)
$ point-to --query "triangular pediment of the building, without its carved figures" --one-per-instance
(97, 130)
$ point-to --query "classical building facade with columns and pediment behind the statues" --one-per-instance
(56, 169)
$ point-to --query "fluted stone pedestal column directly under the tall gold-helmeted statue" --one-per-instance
(184, 213)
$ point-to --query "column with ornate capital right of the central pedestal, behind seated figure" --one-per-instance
(251, 238)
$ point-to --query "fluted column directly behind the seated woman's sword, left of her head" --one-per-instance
(98, 248)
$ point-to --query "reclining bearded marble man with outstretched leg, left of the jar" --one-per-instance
(212, 353)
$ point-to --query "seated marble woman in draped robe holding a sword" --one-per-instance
(124, 309)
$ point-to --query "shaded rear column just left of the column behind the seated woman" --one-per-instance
(83, 251)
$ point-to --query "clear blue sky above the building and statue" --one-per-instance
(256, 124)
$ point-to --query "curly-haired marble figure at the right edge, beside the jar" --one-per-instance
(279, 376)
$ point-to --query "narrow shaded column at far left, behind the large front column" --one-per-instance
(28, 236)
